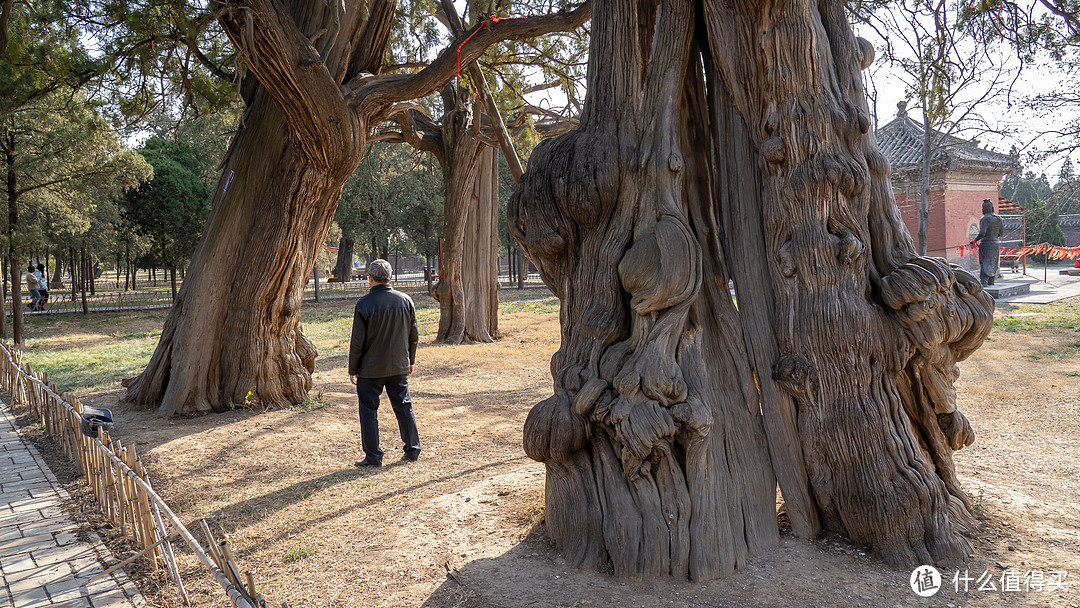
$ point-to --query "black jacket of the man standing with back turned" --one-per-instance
(384, 334)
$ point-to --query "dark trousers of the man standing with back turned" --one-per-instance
(369, 391)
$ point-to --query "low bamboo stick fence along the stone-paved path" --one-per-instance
(121, 484)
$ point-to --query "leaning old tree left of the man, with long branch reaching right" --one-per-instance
(314, 93)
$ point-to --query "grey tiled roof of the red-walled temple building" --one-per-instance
(901, 142)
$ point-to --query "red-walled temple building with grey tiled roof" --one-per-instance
(962, 175)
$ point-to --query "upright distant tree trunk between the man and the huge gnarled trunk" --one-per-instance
(468, 290)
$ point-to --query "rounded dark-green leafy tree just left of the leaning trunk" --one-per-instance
(172, 208)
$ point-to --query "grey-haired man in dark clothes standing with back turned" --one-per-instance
(382, 354)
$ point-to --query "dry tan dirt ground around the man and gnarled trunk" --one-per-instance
(463, 528)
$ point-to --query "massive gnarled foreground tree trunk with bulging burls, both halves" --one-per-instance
(731, 141)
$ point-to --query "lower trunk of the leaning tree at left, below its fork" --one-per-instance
(234, 336)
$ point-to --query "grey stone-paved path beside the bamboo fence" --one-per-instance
(44, 563)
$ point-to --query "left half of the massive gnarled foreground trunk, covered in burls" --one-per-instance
(656, 453)
